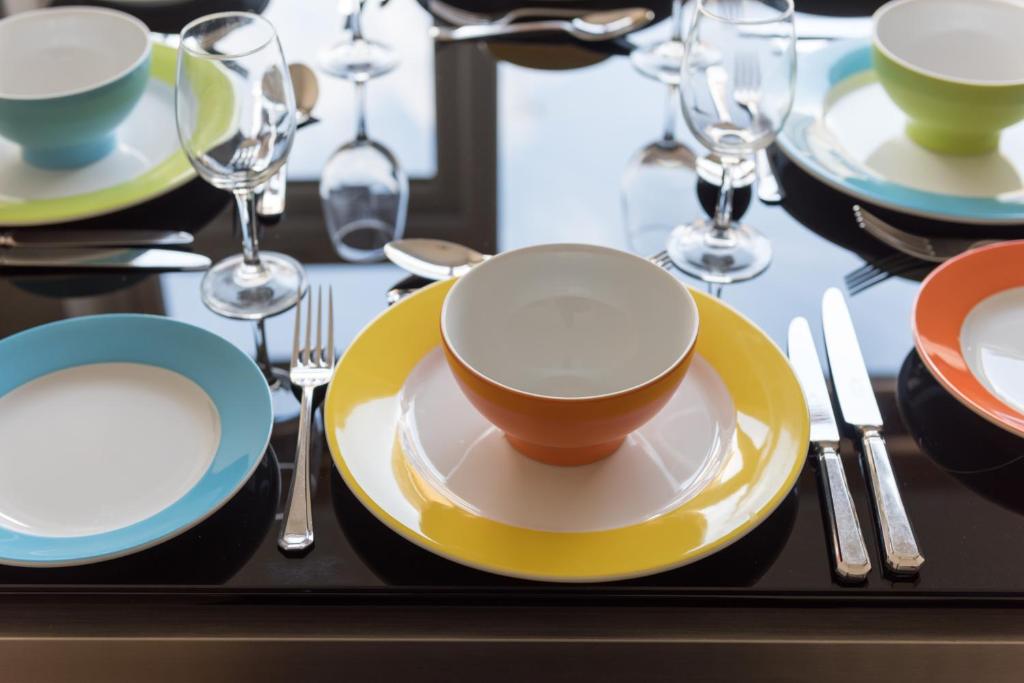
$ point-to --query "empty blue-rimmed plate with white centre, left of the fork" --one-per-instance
(120, 432)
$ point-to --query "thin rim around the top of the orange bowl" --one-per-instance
(687, 353)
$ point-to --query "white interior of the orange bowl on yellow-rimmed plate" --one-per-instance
(570, 321)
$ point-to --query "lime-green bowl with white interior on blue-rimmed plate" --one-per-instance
(955, 67)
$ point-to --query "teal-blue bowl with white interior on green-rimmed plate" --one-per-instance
(69, 77)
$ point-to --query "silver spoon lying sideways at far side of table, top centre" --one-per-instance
(591, 27)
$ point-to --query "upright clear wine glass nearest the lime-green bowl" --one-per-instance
(737, 93)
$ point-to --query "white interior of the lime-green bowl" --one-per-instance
(977, 41)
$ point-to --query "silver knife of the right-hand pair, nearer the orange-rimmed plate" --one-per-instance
(861, 409)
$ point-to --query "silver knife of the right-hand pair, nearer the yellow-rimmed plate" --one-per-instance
(850, 562)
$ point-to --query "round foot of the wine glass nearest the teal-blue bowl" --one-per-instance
(234, 289)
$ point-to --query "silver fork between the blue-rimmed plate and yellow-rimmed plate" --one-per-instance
(312, 368)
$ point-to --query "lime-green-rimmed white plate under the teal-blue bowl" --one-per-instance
(148, 163)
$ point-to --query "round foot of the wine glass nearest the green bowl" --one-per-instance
(742, 254)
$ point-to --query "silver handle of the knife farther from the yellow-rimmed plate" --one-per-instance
(900, 547)
